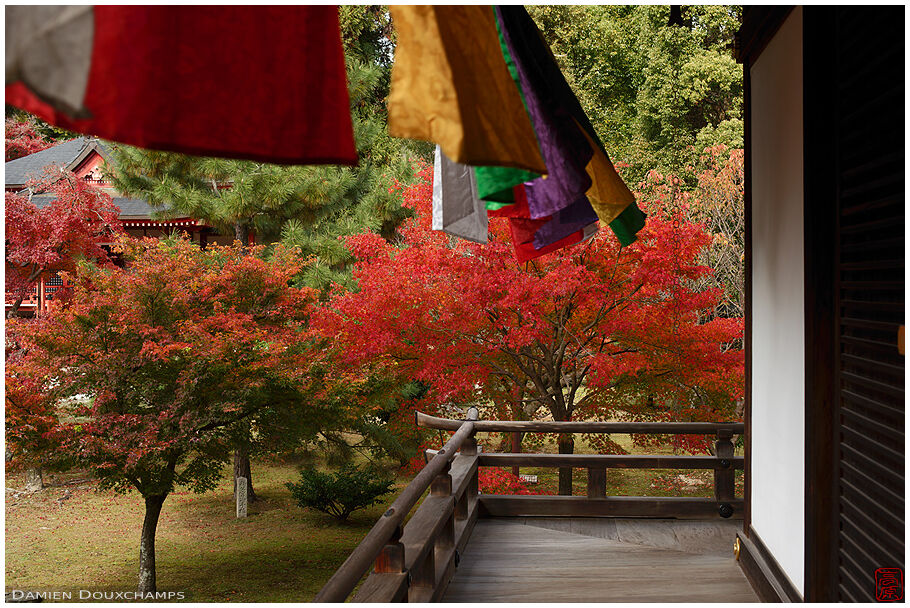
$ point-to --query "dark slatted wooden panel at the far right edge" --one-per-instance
(871, 400)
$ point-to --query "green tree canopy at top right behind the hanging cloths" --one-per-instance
(658, 94)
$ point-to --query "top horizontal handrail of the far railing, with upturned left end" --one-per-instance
(553, 426)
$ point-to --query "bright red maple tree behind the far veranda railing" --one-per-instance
(594, 331)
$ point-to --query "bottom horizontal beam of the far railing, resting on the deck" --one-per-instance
(611, 506)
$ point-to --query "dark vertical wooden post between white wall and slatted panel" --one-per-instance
(820, 298)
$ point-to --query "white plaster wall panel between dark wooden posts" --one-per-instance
(778, 380)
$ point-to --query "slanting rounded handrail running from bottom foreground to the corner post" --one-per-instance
(361, 559)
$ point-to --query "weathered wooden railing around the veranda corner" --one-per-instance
(415, 562)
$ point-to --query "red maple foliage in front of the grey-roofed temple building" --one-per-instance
(43, 240)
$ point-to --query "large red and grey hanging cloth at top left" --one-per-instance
(264, 83)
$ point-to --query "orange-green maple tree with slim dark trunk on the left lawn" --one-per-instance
(151, 371)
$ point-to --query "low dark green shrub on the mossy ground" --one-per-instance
(341, 493)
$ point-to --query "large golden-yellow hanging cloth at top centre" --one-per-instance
(451, 86)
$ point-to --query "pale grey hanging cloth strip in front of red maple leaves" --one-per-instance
(456, 208)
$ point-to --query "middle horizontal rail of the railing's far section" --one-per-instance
(609, 461)
